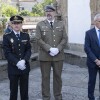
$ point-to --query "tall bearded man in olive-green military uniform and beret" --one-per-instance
(51, 37)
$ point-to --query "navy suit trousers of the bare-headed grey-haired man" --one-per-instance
(92, 81)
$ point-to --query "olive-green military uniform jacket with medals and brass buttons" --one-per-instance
(48, 37)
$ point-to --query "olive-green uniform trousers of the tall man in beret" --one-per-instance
(57, 81)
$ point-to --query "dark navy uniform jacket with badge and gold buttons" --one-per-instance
(15, 50)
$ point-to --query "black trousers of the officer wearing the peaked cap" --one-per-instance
(22, 81)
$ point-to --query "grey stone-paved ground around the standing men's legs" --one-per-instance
(74, 84)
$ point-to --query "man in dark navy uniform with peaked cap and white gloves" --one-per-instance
(17, 50)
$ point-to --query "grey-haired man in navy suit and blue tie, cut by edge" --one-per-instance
(92, 49)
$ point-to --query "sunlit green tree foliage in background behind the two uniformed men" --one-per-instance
(37, 10)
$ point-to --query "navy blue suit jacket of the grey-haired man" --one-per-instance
(92, 47)
